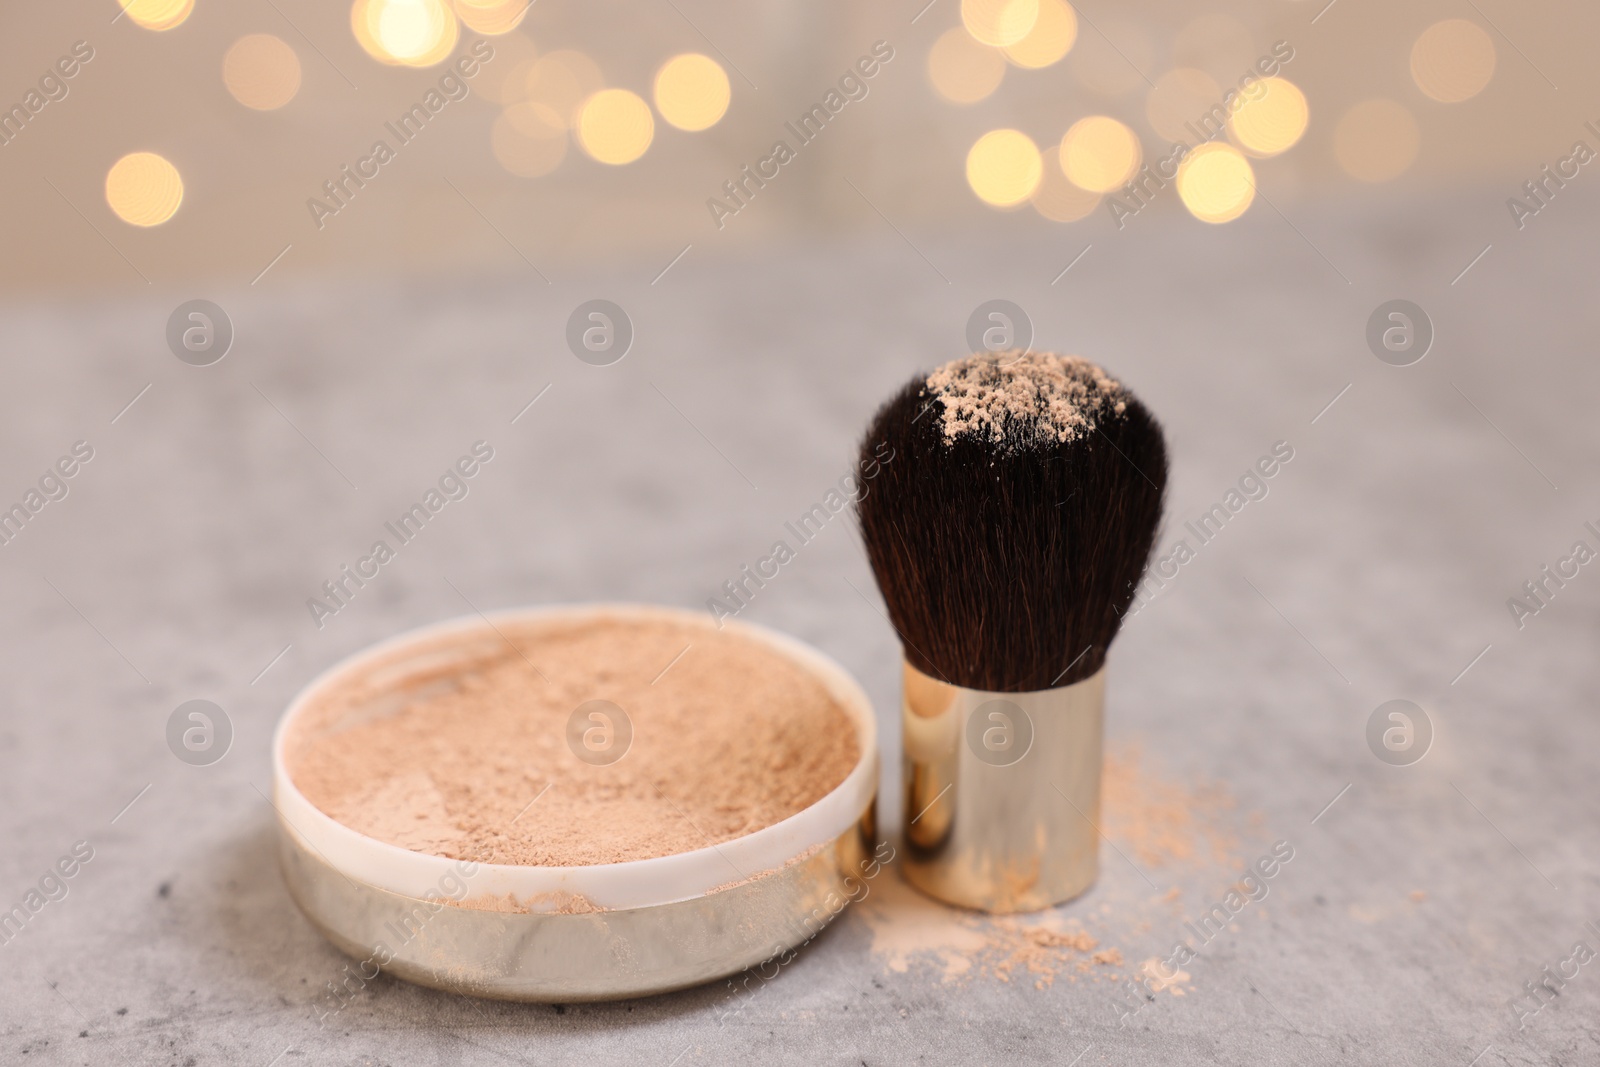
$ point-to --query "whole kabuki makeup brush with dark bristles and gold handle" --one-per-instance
(1007, 540)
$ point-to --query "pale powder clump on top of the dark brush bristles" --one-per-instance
(1025, 398)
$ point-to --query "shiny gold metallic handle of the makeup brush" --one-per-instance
(1002, 793)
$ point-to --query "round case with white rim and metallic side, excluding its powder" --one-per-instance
(602, 932)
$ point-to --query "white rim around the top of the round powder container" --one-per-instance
(609, 887)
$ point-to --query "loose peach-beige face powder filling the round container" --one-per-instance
(462, 749)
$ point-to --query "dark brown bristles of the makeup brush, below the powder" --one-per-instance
(1009, 567)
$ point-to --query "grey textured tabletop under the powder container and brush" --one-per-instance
(1417, 906)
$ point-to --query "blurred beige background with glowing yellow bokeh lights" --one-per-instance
(257, 103)
